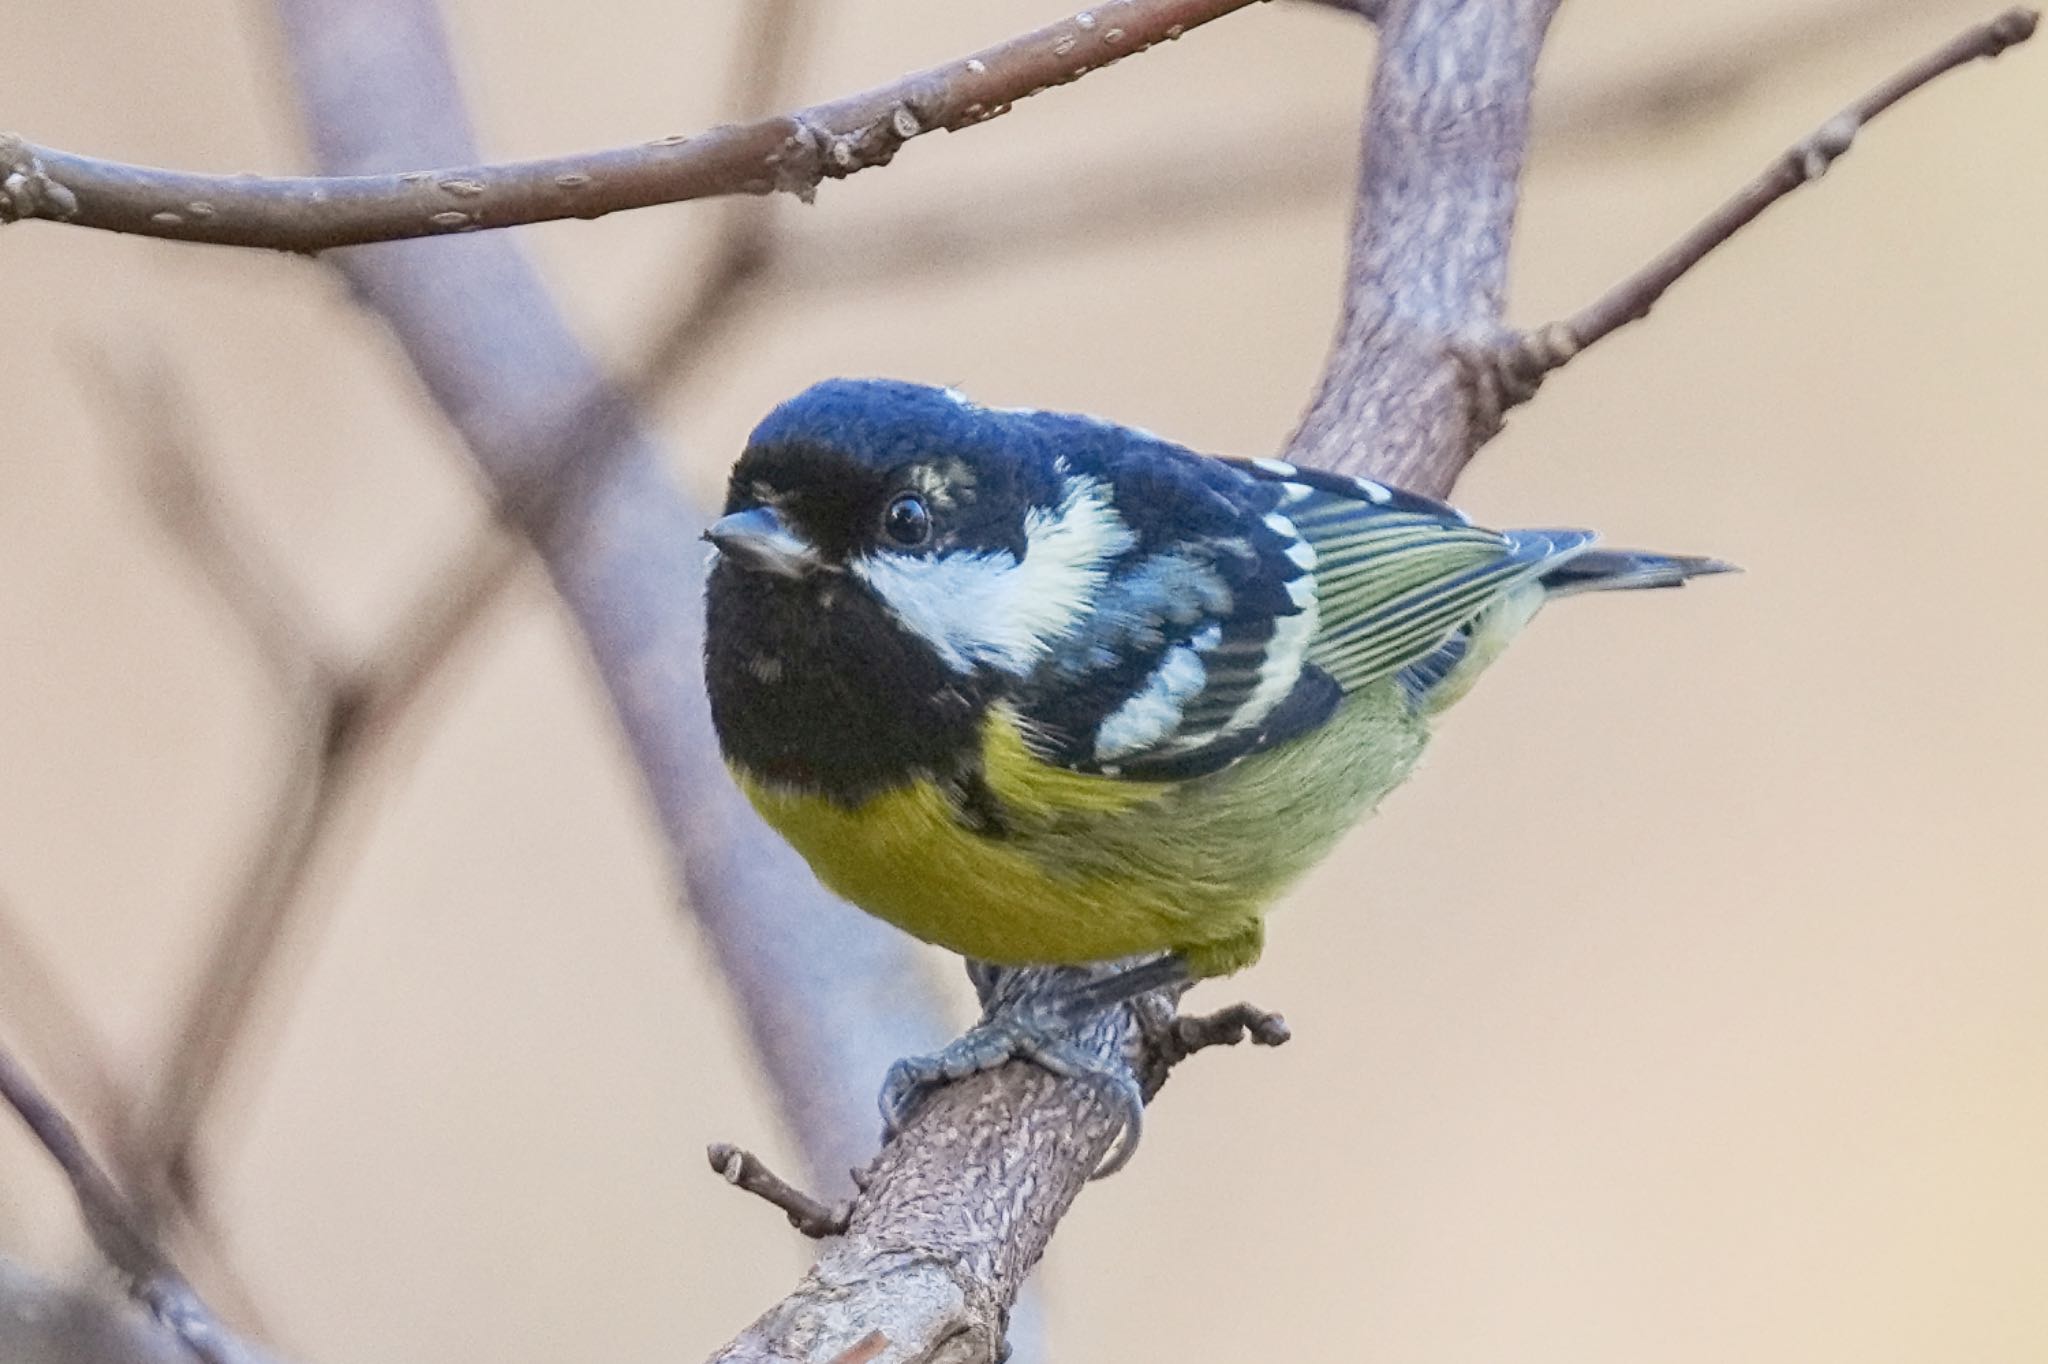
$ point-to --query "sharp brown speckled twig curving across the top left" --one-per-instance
(790, 153)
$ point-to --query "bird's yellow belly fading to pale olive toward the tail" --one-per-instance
(1095, 867)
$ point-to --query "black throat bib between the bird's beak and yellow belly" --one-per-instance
(816, 687)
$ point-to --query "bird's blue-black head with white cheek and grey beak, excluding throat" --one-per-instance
(972, 529)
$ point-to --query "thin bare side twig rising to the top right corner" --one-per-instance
(1517, 370)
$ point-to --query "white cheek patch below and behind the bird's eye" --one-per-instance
(992, 609)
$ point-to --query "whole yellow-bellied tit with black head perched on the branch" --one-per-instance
(1043, 689)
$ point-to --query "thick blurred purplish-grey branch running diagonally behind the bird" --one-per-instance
(826, 994)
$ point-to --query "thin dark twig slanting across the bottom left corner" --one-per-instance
(120, 1232)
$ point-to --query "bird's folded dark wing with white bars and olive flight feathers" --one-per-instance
(1258, 597)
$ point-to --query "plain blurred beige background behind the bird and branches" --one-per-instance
(1689, 1007)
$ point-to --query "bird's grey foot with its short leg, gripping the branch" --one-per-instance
(1050, 1029)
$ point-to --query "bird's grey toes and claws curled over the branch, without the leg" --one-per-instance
(1046, 1039)
